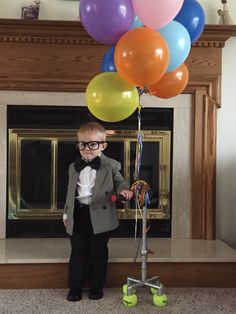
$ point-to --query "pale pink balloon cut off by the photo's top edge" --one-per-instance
(157, 13)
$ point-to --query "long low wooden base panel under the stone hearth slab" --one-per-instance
(42, 276)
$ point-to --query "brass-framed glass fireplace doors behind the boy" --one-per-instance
(38, 171)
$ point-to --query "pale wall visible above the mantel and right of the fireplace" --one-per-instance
(226, 135)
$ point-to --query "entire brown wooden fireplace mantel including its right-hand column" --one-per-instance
(62, 57)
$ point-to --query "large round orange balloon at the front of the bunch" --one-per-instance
(141, 56)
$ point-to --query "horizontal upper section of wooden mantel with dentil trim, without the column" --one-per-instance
(61, 56)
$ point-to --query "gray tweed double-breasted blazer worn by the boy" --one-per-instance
(102, 210)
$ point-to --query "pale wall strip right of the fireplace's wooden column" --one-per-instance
(226, 149)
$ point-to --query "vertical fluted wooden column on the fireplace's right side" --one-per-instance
(204, 167)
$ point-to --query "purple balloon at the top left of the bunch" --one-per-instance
(106, 20)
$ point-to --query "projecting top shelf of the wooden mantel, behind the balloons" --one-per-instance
(213, 35)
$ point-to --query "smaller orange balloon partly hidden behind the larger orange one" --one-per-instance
(171, 84)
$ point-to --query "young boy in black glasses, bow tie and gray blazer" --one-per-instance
(89, 214)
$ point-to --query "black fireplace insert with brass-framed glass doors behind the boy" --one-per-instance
(41, 147)
